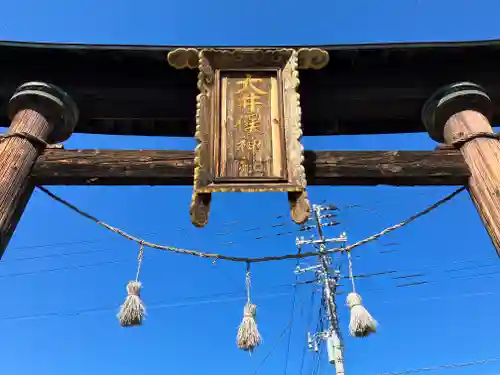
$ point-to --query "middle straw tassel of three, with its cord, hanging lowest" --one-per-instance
(248, 335)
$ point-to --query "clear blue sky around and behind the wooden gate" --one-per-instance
(58, 310)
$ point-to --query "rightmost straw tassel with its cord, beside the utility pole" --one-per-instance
(361, 323)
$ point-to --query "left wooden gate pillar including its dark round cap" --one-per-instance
(41, 115)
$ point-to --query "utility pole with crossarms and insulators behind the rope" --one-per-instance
(327, 278)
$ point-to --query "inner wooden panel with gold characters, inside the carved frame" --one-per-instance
(252, 145)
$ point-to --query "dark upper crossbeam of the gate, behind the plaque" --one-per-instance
(365, 89)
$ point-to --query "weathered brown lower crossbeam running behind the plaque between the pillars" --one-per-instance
(154, 167)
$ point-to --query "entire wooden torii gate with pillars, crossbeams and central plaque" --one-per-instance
(444, 88)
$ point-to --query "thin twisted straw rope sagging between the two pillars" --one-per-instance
(245, 259)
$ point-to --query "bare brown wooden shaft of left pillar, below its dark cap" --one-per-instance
(17, 156)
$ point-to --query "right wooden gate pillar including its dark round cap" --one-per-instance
(458, 115)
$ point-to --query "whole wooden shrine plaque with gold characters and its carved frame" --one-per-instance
(248, 123)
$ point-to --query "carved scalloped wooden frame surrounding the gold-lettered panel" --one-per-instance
(210, 62)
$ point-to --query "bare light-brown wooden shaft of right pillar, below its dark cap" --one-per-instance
(482, 155)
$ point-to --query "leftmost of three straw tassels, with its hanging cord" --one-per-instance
(132, 312)
